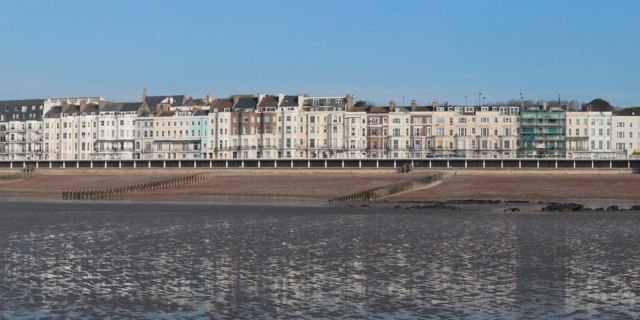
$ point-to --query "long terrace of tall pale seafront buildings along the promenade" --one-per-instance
(304, 127)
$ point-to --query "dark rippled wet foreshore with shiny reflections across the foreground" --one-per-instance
(143, 260)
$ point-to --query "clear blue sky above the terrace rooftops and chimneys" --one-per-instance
(377, 50)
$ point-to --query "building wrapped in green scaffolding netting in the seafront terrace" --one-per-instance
(542, 132)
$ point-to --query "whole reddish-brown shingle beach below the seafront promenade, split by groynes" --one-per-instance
(317, 187)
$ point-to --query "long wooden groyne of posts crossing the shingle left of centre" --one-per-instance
(154, 185)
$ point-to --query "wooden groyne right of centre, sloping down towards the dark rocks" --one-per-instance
(382, 192)
